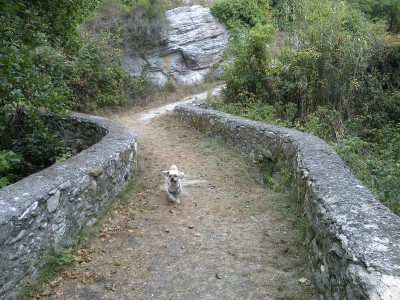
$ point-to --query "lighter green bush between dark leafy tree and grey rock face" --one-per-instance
(96, 75)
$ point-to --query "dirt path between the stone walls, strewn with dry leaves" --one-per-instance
(229, 239)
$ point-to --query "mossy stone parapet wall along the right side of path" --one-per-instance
(352, 240)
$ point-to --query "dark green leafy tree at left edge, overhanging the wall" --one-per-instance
(37, 38)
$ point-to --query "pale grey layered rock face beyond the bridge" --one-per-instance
(194, 42)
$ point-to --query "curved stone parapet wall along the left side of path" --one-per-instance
(52, 206)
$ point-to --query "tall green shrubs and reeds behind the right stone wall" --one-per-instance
(332, 73)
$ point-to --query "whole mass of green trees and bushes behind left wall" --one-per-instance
(48, 68)
